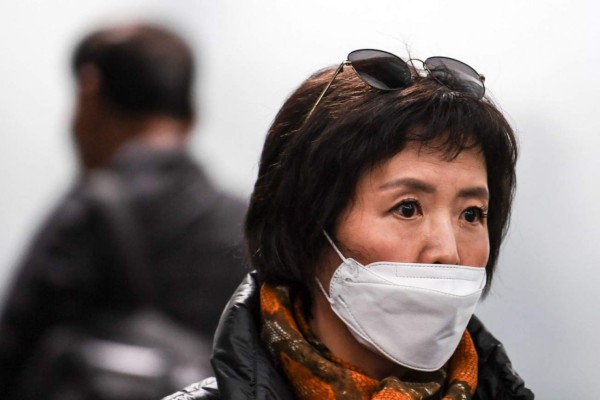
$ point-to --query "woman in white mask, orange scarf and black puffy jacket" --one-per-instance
(383, 195)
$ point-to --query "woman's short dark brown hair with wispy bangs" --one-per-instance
(308, 171)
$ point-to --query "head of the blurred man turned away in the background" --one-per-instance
(131, 80)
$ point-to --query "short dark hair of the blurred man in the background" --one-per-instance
(145, 69)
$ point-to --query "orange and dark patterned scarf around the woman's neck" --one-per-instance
(315, 373)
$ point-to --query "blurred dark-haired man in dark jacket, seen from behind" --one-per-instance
(132, 117)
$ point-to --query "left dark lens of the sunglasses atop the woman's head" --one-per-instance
(380, 69)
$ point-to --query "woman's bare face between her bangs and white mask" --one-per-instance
(418, 207)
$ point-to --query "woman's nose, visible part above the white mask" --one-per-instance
(440, 245)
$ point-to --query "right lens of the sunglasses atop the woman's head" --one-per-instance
(456, 75)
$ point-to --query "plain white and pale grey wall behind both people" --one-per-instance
(541, 61)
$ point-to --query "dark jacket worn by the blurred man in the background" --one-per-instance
(191, 233)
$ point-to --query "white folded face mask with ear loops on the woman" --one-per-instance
(412, 314)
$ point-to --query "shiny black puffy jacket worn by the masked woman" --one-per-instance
(244, 371)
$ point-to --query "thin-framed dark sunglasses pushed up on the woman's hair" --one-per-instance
(387, 72)
